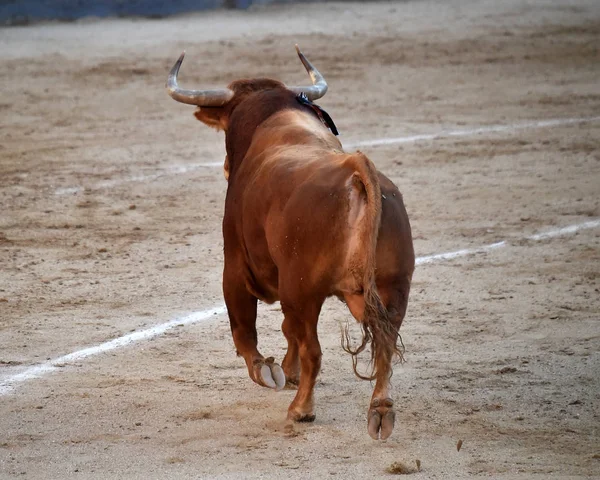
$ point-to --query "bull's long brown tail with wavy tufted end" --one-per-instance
(377, 327)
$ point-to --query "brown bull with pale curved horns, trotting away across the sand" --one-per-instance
(303, 221)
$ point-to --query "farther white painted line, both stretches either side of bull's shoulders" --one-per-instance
(179, 169)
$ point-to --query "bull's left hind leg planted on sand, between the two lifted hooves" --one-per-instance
(300, 328)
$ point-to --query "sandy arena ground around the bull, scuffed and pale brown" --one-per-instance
(109, 223)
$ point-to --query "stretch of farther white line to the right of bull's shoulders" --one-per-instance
(472, 131)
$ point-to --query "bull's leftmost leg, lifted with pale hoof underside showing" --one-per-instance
(241, 307)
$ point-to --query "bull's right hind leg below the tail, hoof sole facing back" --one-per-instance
(381, 416)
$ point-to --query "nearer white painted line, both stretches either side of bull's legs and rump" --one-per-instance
(9, 384)
